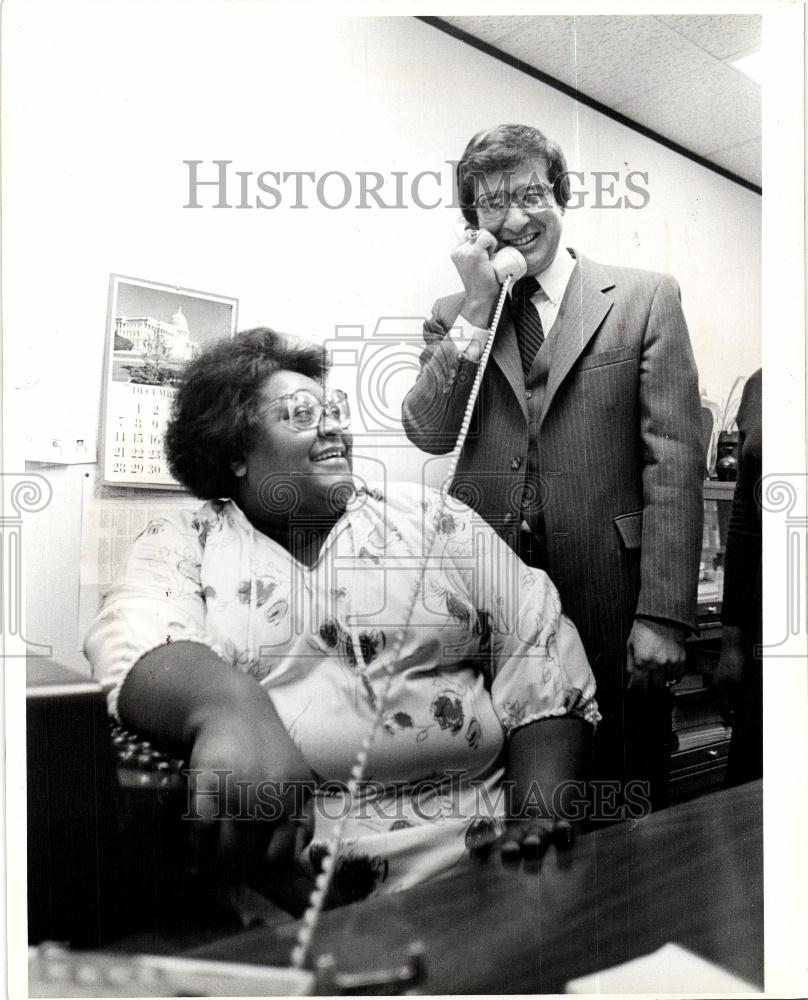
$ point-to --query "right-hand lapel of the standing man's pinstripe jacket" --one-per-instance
(583, 309)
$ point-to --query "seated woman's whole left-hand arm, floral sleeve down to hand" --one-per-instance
(151, 648)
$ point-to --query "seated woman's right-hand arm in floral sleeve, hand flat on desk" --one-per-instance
(542, 689)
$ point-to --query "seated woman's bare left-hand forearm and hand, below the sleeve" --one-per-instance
(242, 764)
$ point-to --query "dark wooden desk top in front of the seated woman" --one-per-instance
(692, 874)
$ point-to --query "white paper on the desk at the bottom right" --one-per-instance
(671, 969)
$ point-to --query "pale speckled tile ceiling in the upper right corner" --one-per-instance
(663, 72)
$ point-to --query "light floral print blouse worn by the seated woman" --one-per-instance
(486, 650)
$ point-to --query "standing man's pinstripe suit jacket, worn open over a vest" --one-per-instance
(599, 449)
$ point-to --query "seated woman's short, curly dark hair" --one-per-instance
(215, 414)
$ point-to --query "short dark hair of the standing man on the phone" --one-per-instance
(505, 148)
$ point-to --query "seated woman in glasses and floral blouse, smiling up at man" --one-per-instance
(256, 635)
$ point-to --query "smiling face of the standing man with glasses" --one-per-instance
(519, 208)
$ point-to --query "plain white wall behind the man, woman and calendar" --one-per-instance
(102, 105)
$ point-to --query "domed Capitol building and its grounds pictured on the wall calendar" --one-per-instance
(151, 350)
